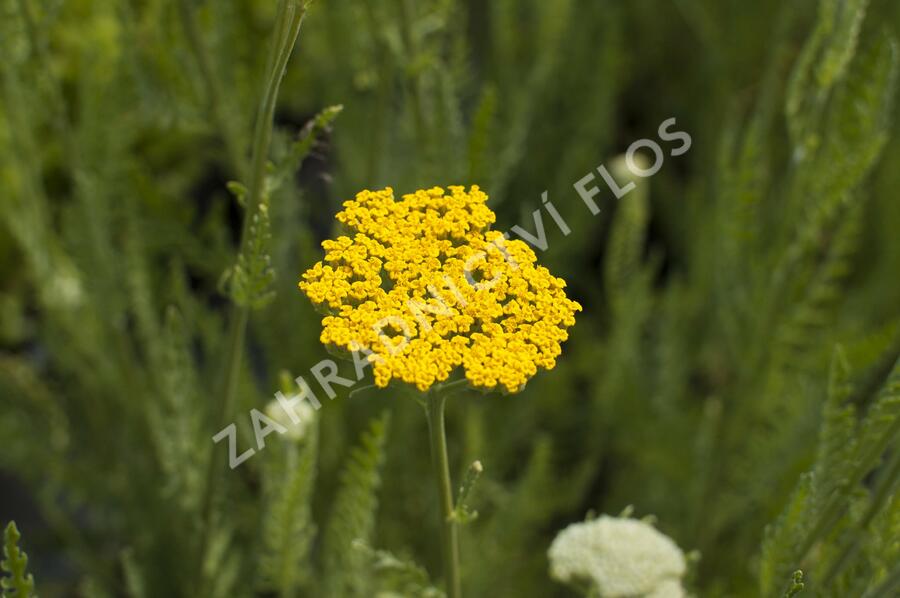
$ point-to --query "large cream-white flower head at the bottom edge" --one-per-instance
(619, 558)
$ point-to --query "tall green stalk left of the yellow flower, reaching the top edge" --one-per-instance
(290, 17)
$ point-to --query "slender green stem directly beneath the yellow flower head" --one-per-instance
(434, 408)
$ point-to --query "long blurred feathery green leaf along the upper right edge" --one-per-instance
(823, 195)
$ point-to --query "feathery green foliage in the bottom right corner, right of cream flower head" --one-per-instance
(833, 511)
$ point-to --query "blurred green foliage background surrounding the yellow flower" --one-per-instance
(693, 384)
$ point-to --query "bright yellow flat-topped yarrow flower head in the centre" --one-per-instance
(422, 286)
